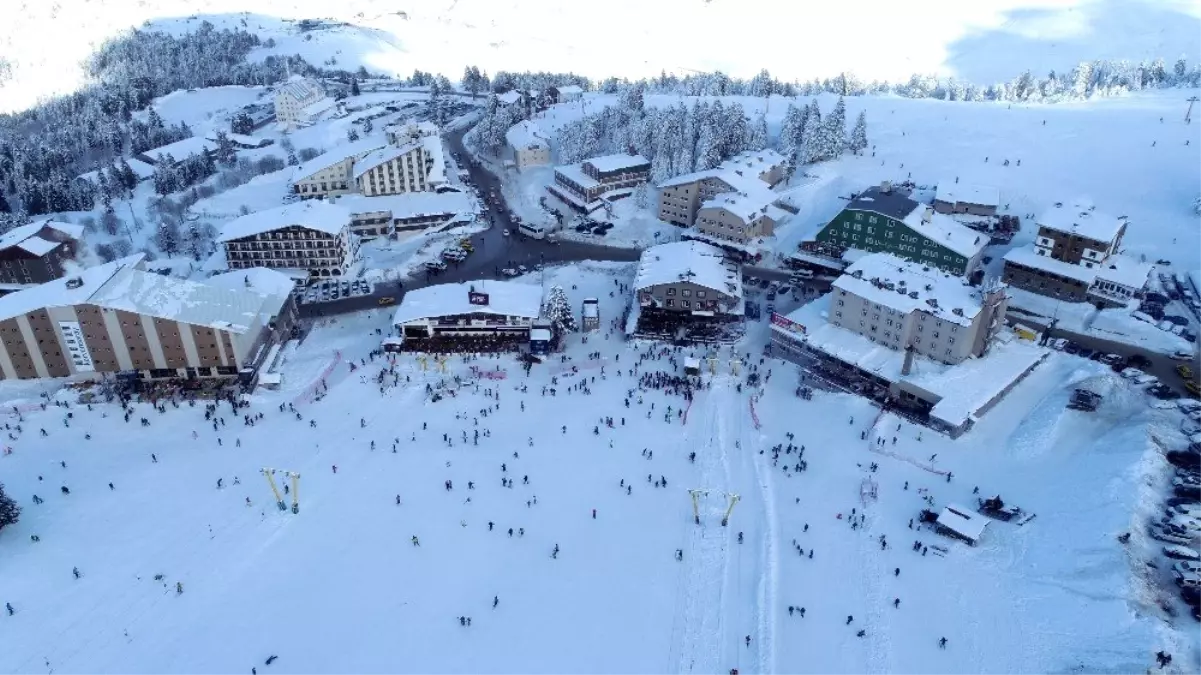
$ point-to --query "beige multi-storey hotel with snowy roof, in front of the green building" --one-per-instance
(901, 306)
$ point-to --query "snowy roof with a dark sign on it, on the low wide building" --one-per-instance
(505, 298)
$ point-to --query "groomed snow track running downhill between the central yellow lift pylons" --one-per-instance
(698, 641)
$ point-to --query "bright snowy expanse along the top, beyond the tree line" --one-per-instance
(984, 41)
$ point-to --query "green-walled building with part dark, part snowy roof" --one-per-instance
(885, 220)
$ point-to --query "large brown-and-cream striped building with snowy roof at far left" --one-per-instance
(115, 319)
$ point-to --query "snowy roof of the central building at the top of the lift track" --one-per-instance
(689, 261)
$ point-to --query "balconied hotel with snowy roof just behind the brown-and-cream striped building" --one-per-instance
(307, 236)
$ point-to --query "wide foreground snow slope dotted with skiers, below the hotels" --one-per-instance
(340, 589)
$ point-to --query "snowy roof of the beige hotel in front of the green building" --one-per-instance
(907, 288)
